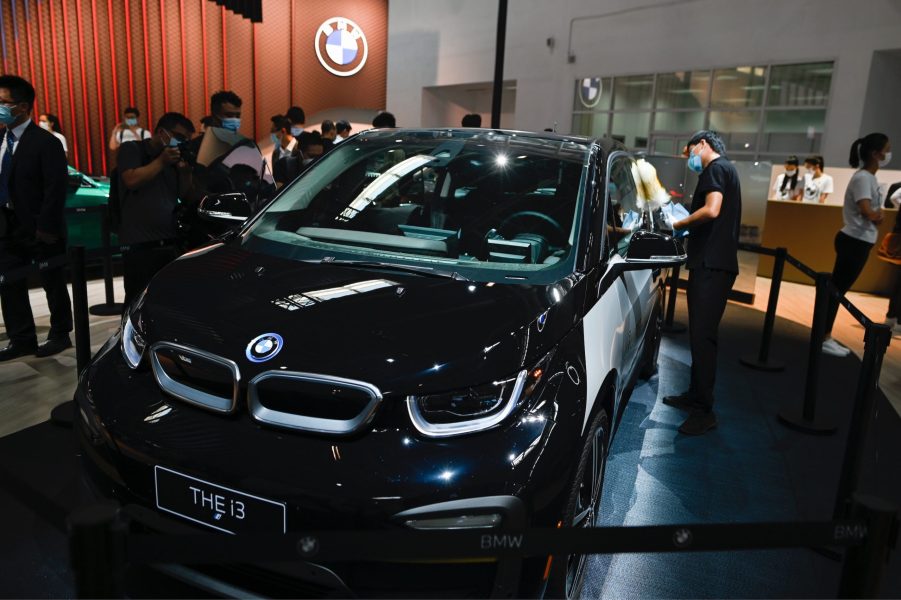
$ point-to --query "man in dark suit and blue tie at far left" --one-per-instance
(33, 180)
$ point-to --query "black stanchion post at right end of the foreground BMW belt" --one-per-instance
(864, 564)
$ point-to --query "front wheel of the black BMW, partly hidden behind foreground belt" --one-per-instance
(567, 577)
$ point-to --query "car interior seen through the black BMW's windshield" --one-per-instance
(473, 204)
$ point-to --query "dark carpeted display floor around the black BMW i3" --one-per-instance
(749, 469)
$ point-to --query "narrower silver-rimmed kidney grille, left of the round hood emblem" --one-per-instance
(195, 376)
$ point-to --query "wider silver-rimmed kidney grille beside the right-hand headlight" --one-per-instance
(312, 402)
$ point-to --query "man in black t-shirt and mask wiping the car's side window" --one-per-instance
(712, 262)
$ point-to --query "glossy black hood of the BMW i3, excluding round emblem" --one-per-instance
(405, 333)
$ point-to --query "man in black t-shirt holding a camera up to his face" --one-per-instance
(154, 176)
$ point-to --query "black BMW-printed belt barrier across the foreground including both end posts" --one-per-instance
(101, 544)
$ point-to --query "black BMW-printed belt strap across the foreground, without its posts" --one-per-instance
(405, 545)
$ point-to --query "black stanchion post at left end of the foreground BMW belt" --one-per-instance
(97, 551)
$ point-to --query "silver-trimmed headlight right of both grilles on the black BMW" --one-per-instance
(467, 411)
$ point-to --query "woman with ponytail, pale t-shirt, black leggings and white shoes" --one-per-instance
(862, 212)
